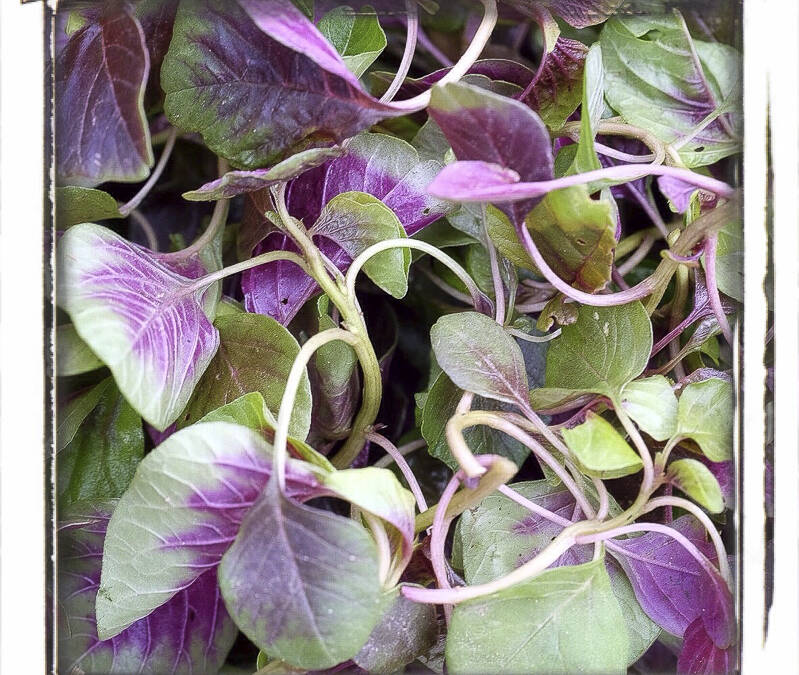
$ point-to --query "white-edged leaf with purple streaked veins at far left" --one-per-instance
(142, 319)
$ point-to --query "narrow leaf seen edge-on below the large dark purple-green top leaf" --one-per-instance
(240, 182)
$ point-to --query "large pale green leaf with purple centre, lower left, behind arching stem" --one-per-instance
(180, 514)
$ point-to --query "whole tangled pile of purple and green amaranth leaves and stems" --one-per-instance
(505, 446)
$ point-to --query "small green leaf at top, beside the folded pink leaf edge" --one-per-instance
(357, 36)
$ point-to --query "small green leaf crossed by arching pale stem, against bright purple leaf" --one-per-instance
(355, 221)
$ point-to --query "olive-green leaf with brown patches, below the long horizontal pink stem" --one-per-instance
(576, 236)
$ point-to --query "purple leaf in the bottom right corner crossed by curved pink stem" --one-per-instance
(671, 585)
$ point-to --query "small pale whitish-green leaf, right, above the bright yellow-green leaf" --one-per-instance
(652, 404)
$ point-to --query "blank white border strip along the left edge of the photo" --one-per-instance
(22, 464)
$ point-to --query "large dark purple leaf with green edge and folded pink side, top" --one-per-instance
(260, 83)
